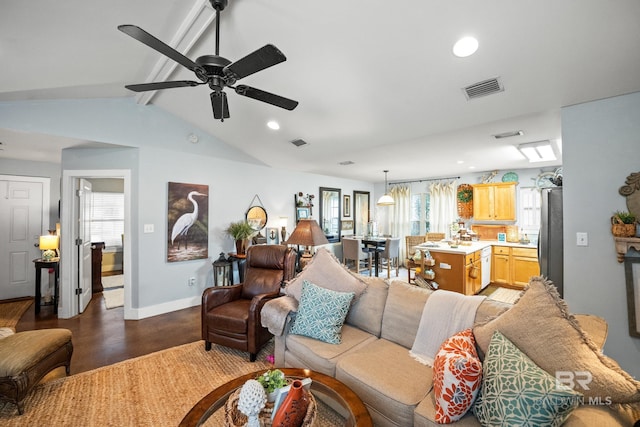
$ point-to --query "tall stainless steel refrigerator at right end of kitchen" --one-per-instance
(550, 242)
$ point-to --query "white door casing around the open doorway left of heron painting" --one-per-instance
(69, 233)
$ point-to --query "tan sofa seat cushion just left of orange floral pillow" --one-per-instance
(389, 381)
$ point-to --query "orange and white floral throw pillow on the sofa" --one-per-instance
(457, 376)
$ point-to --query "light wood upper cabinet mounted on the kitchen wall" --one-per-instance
(495, 201)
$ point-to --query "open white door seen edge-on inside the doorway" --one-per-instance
(84, 290)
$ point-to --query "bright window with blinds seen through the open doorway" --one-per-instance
(107, 218)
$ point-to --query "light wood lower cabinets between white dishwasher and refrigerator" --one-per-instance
(514, 266)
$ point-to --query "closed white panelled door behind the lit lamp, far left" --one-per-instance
(21, 222)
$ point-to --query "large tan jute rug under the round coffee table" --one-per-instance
(153, 390)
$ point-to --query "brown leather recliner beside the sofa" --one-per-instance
(231, 314)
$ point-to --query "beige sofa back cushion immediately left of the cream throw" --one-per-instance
(403, 312)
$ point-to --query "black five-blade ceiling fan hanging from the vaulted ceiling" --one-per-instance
(214, 70)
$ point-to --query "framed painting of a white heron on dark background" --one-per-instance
(188, 222)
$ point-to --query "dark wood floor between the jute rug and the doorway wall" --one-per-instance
(102, 337)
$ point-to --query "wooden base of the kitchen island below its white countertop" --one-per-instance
(453, 272)
